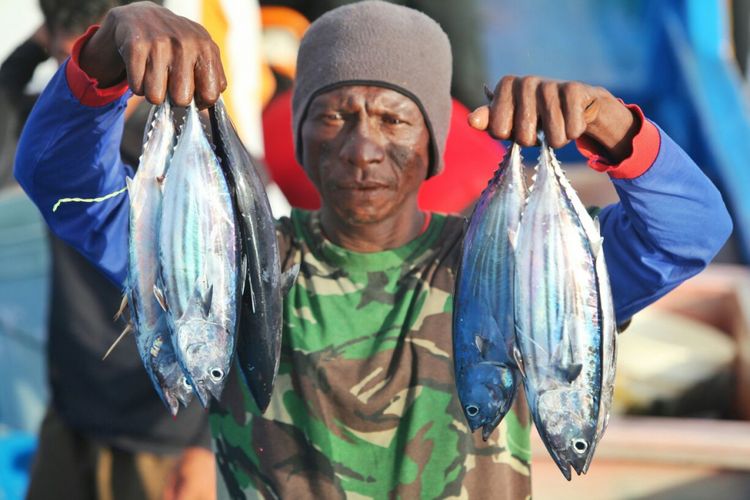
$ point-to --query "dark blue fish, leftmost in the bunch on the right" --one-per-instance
(483, 315)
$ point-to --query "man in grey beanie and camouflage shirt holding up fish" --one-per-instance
(365, 403)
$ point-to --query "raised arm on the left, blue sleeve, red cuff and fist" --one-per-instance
(69, 149)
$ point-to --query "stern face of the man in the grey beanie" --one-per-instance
(366, 149)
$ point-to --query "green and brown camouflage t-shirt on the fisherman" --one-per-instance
(365, 404)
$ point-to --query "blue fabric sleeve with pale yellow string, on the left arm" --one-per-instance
(68, 150)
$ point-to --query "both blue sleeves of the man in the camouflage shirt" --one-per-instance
(670, 223)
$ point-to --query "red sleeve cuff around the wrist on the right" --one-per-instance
(645, 149)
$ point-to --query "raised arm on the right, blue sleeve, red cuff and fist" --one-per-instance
(671, 220)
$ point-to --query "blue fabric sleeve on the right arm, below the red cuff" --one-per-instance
(670, 222)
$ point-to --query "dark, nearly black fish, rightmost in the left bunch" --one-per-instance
(264, 284)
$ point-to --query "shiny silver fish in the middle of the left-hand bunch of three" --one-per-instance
(199, 254)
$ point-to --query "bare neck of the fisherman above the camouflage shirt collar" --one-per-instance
(392, 232)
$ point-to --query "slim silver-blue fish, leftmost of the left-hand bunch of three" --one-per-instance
(147, 318)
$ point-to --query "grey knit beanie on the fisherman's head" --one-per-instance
(381, 44)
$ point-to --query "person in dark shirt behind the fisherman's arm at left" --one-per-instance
(106, 433)
